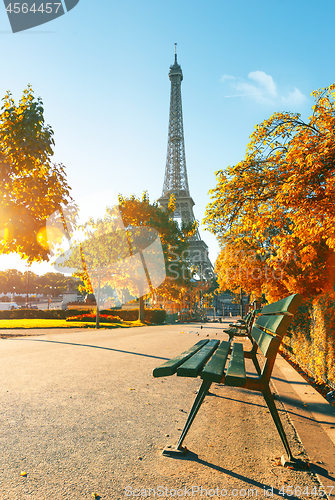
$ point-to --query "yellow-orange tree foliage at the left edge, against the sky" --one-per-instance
(31, 186)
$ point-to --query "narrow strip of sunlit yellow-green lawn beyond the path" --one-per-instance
(60, 323)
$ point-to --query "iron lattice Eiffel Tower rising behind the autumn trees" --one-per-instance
(175, 180)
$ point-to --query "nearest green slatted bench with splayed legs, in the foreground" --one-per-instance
(224, 363)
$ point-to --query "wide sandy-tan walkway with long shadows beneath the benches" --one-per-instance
(82, 414)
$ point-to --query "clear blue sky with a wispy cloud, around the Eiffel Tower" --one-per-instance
(102, 72)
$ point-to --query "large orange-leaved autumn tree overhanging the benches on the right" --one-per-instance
(274, 212)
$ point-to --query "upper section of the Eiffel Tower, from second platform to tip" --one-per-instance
(175, 180)
